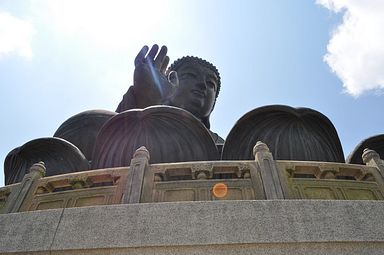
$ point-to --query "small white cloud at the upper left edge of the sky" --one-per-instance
(15, 36)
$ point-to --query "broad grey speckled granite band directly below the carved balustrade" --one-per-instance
(272, 222)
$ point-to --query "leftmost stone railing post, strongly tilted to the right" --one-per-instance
(17, 197)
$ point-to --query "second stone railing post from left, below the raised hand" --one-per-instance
(139, 164)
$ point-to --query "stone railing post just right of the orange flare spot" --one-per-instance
(268, 171)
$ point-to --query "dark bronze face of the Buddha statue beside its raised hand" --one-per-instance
(197, 89)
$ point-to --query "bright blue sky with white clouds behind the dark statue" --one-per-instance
(59, 58)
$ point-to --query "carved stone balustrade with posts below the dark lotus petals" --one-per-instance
(261, 179)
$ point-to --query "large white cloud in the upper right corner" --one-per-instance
(356, 49)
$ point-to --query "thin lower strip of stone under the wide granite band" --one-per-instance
(242, 249)
